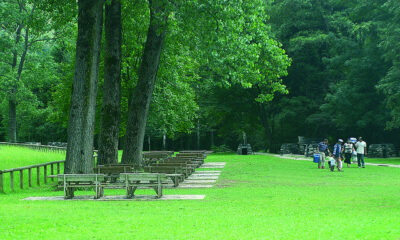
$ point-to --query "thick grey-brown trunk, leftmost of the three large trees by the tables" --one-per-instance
(84, 92)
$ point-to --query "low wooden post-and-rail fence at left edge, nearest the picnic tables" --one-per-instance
(29, 169)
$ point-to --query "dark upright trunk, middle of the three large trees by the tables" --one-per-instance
(111, 107)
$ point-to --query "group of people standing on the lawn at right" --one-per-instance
(342, 151)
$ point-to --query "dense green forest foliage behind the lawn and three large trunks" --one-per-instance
(338, 76)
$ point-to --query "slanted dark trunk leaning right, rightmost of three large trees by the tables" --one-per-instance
(139, 105)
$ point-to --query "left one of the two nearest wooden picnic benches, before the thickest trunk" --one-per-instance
(72, 181)
